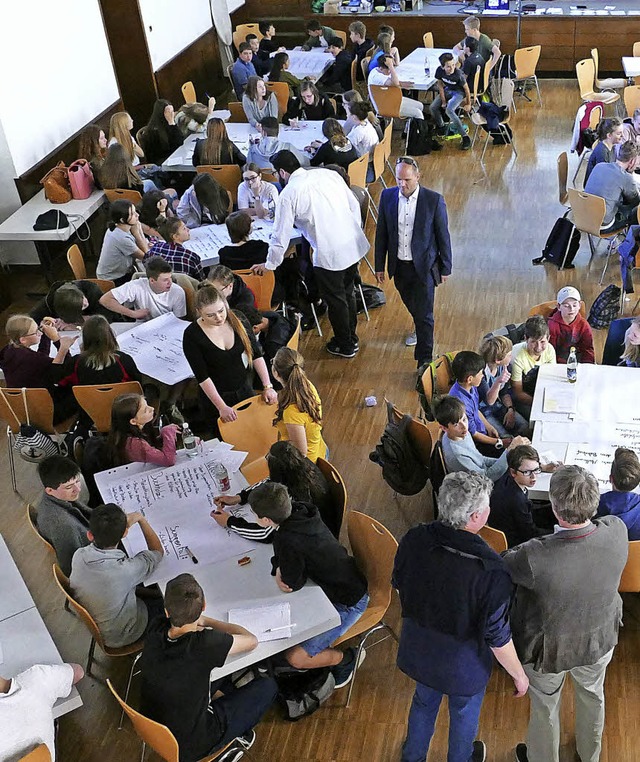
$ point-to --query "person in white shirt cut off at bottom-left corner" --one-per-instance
(26, 701)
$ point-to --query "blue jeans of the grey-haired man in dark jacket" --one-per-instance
(464, 713)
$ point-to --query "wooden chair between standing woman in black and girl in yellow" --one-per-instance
(253, 431)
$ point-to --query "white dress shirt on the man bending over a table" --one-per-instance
(319, 203)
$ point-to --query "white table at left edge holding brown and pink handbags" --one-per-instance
(19, 226)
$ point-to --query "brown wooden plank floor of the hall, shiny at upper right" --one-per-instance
(498, 222)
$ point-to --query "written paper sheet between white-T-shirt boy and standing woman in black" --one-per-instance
(156, 347)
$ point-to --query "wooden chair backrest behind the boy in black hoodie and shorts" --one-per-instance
(374, 548)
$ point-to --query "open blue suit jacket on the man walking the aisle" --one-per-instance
(430, 243)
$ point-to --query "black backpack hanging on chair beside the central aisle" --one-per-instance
(401, 468)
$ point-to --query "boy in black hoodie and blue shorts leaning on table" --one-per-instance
(304, 549)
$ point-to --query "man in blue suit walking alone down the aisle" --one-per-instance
(412, 239)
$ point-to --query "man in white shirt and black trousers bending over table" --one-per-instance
(319, 203)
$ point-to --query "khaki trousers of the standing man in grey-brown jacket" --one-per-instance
(545, 690)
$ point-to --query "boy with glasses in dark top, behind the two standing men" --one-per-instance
(512, 512)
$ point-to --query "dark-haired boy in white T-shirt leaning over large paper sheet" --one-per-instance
(149, 297)
